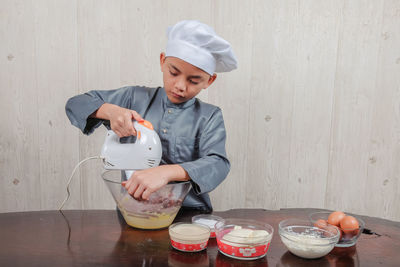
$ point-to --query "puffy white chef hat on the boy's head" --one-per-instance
(199, 45)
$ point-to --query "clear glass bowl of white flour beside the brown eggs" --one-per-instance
(307, 241)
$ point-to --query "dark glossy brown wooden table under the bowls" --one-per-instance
(101, 237)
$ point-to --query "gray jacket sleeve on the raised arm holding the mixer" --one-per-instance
(80, 107)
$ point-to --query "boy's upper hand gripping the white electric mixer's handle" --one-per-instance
(120, 118)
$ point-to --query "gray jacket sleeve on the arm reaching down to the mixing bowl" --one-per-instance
(212, 166)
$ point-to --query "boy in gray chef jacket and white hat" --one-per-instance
(192, 132)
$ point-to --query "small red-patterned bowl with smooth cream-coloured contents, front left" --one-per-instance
(189, 237)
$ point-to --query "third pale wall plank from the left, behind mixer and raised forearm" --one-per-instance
(99, 68)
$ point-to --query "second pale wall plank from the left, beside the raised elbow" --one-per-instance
(56, 48)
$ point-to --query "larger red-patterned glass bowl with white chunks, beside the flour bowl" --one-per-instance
(243, 239)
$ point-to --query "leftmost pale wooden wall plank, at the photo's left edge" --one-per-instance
(19, 139)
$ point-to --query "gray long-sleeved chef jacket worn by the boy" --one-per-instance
(192, 133)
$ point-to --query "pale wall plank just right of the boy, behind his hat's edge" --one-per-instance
(234, 103)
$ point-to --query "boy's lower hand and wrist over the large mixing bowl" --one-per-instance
(144, 182)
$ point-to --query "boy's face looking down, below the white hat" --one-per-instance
(182, 80)
